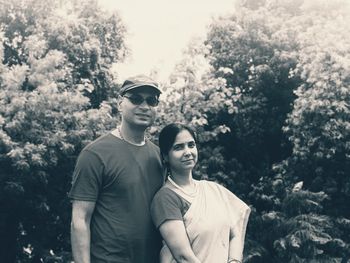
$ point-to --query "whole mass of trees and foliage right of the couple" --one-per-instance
(268, 57)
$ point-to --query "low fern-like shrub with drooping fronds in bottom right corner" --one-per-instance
(301, 232)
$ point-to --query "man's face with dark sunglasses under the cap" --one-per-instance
(138, 107)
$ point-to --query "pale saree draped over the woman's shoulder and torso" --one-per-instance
(214, 215)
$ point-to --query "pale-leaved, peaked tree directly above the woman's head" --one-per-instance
(189, 97)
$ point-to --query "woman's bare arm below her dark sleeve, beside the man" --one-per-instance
(175, 236)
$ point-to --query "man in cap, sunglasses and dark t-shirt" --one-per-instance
(114, 181)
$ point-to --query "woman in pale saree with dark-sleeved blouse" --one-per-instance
(200, 221)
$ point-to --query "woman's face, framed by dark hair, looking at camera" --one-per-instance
(183, 155)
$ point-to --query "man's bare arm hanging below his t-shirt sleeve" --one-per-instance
(80, 230)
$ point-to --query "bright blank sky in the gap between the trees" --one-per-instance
(158, 30)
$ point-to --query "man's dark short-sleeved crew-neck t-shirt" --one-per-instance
(122, 179)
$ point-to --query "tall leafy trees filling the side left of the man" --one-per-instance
(53, 82)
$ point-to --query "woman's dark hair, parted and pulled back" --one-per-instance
(168, 135)
